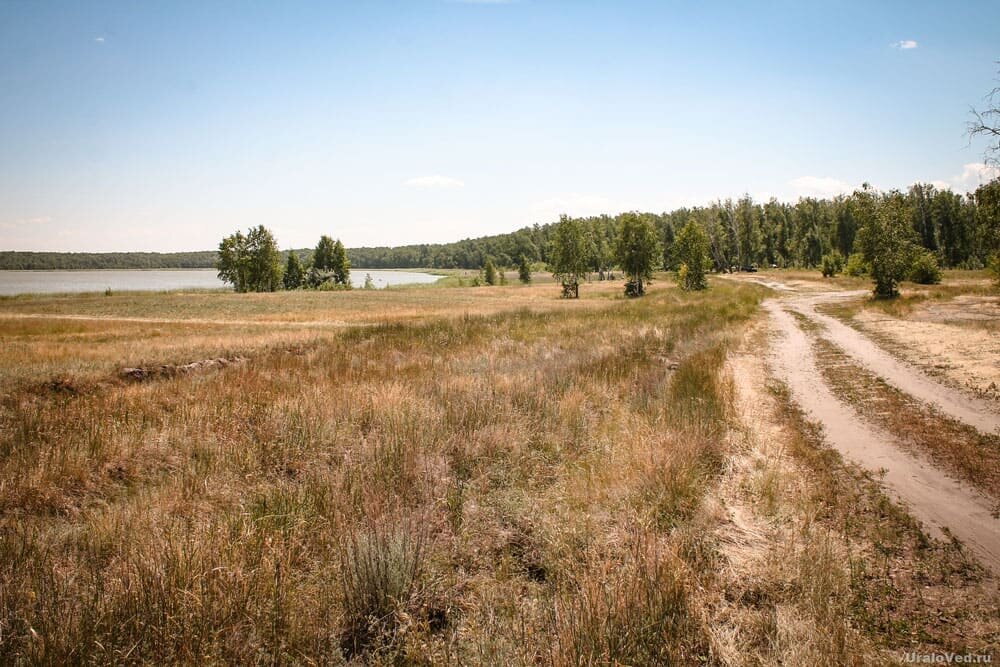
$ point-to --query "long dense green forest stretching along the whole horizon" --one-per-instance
(961, 231)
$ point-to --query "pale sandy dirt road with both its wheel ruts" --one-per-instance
(943, 504)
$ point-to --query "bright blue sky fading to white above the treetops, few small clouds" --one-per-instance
(166, 125)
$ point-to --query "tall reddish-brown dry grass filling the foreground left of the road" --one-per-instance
(510, 487)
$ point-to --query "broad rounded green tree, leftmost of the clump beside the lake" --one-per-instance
(251, 262)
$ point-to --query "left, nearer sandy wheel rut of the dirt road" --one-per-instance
(931, 496)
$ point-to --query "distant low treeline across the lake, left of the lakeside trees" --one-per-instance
(25, 261)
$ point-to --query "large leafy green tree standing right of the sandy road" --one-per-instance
(886, 242)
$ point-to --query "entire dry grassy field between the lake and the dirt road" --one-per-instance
(433, 476)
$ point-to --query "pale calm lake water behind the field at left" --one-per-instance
(48, 282)
